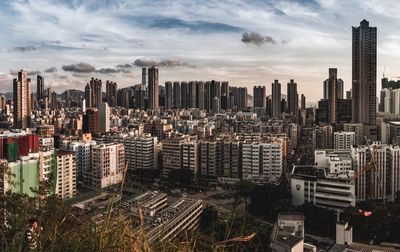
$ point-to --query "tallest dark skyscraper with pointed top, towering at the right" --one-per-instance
(364, 74)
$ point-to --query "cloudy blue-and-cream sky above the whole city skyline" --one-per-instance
(247, 43)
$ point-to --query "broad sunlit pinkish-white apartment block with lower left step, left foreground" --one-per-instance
(107, 166)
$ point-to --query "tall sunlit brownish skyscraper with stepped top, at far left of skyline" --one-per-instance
(22, 100)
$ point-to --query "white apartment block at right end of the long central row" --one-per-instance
(262, 162)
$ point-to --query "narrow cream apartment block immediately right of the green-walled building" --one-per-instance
(66, 174)
